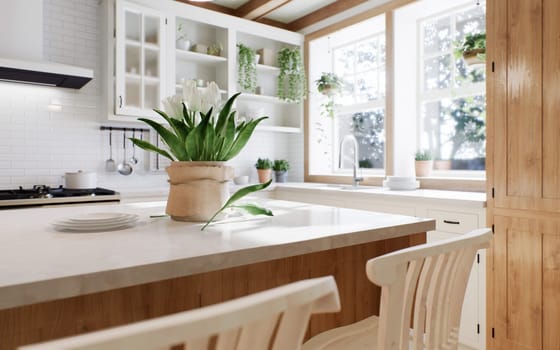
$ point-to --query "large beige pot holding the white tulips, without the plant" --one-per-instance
(197, 189)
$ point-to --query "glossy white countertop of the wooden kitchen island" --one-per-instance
(38, 263)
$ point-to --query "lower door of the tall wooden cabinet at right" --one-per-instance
(525, 263)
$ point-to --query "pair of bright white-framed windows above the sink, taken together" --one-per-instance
(438, 103)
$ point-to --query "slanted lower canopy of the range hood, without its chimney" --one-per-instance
(44, 73)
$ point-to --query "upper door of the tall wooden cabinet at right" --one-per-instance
(524, 47)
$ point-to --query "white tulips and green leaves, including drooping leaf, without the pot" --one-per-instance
(200, 131)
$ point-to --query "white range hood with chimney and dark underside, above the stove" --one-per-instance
(21, 49)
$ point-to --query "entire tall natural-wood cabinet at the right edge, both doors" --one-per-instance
(523, 174)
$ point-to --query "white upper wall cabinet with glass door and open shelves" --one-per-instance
(147, 61)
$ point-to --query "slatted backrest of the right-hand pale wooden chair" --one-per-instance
(424, 286)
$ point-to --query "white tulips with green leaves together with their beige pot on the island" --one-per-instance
(200, 138)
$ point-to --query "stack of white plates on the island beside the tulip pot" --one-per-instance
(95, 222)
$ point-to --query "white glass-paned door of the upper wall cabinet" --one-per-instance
(139, 66)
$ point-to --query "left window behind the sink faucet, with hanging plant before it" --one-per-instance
(357, 56)
